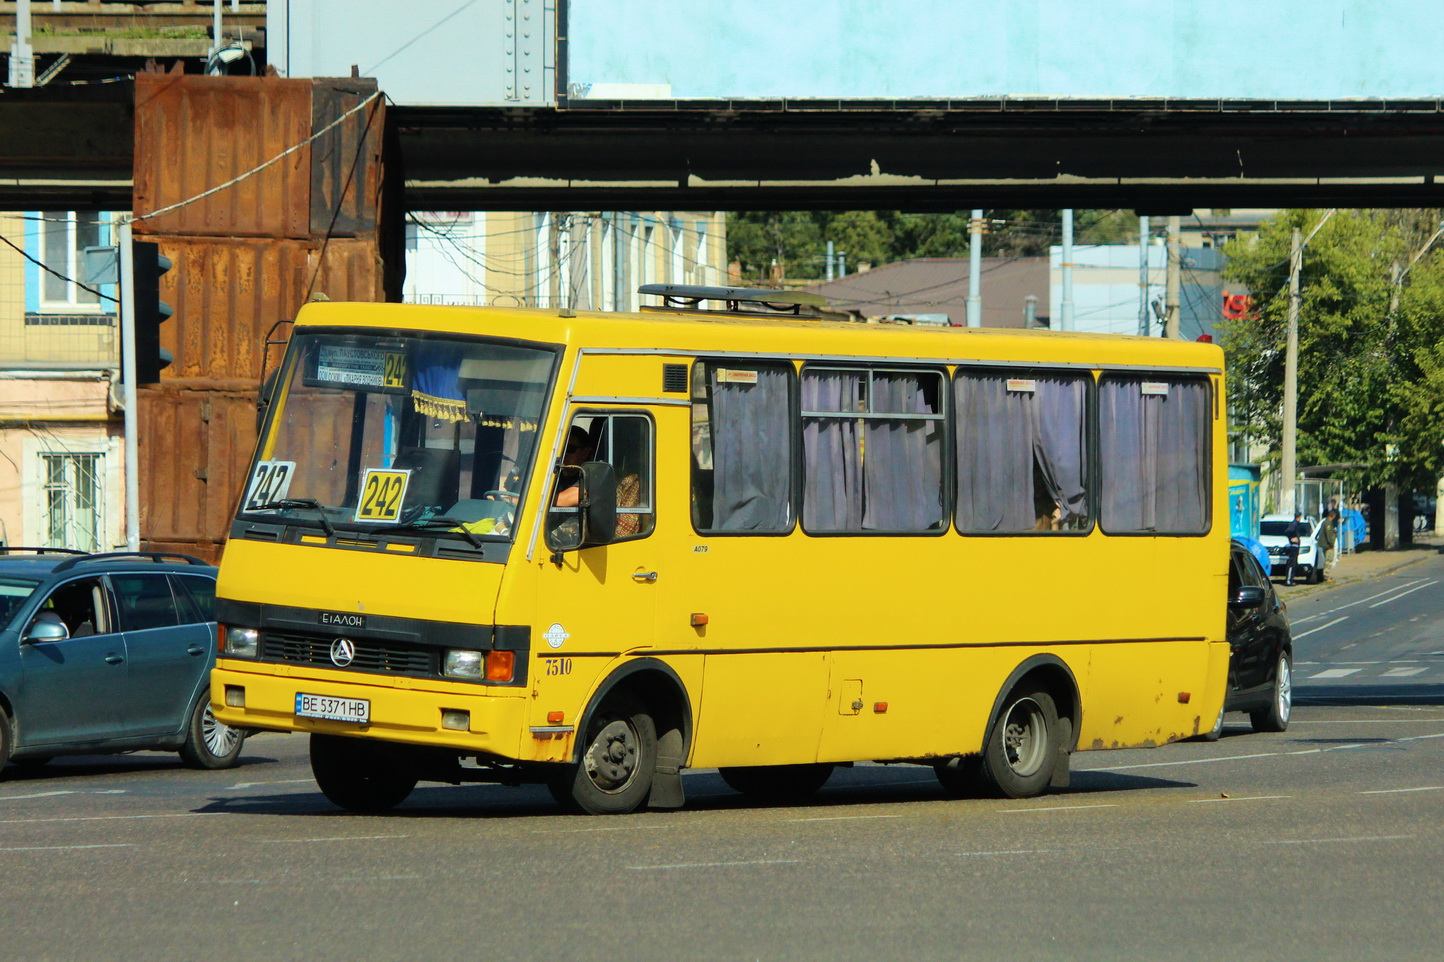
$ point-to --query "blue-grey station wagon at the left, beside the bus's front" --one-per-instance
(105, 654)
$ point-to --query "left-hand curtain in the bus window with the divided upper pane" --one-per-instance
(832, 496)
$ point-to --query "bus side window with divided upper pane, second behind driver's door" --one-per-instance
(873, 451)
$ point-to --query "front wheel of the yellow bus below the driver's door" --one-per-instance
(619, 759)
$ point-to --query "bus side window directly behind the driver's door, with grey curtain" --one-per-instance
(741, 447)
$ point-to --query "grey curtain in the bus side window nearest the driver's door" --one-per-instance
(752, 453)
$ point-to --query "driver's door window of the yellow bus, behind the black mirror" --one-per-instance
(625, 443)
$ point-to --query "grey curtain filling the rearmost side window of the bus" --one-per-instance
(1156, 457)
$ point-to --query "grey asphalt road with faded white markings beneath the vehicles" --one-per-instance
(1322, 843)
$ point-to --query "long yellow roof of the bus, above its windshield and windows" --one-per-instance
(707, 333)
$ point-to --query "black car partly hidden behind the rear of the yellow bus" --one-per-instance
(1261, 648)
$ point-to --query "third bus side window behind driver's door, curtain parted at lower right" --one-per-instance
(1022, 453)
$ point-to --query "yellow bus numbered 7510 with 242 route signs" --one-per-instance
(597, 550)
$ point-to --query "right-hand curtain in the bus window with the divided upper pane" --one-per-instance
(902, 460)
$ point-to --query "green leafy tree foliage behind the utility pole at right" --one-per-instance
(1371, 370)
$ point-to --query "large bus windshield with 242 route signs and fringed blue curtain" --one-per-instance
(388, 434)
